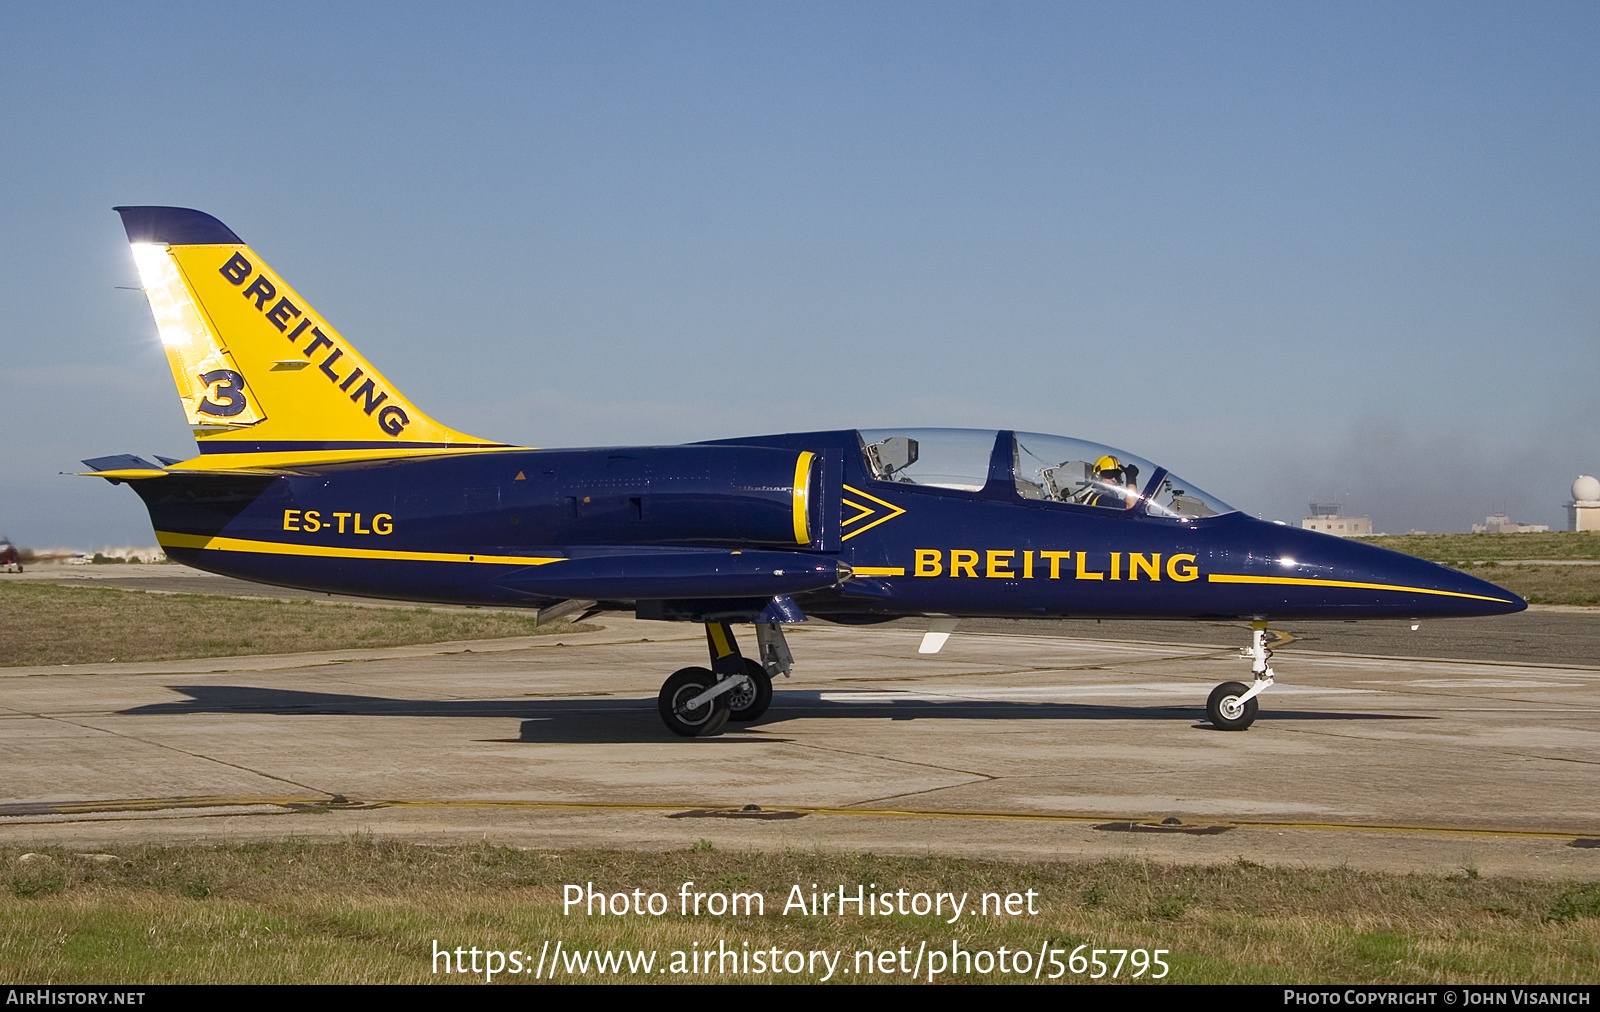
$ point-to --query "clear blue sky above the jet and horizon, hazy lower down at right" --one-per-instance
(1294, 252)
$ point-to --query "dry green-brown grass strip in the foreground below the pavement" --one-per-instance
(372, 912)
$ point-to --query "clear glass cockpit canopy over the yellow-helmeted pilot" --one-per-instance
(1044, 468)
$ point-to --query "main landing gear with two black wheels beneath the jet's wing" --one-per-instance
(698, 702)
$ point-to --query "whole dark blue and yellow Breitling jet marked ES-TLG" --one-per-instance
(316, 473)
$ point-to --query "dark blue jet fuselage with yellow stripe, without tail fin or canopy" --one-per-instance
(719, 531)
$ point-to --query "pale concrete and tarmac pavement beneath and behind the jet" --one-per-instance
(1463, 745)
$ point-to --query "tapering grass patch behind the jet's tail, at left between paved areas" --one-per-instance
(57, 625)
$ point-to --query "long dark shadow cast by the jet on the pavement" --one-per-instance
(609, 720)
